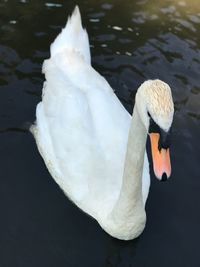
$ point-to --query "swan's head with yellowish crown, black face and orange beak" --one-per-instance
(156, 109)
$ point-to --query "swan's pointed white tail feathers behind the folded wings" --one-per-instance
(73, 37)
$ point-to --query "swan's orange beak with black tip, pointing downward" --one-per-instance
(161, 158)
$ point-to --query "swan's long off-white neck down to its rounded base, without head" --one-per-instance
(128, 215)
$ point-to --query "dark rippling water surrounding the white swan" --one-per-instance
(131, 41)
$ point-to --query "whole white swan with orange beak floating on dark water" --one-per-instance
(93, 148)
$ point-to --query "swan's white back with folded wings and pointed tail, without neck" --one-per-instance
(81, 127)
